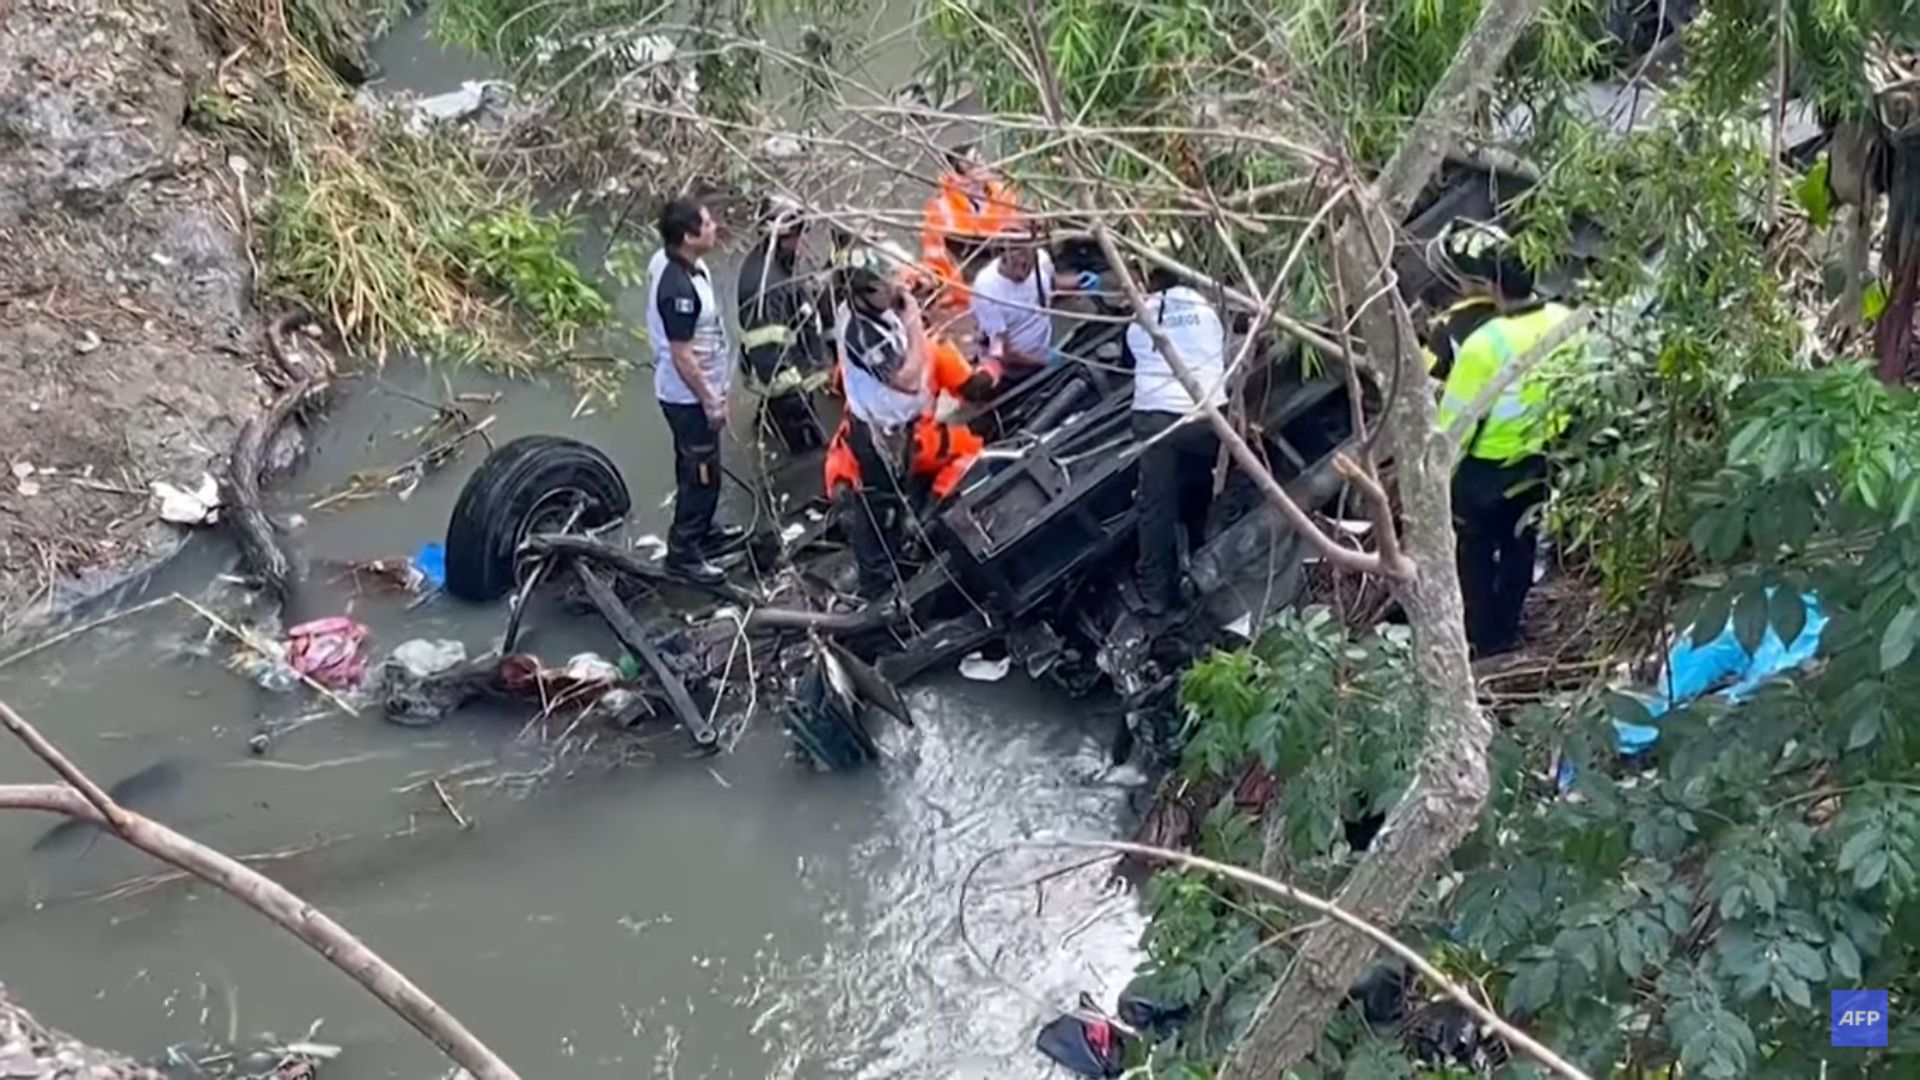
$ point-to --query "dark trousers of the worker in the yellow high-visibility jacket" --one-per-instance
(1497, 547)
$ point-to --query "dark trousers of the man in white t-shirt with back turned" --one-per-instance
(1176, 491)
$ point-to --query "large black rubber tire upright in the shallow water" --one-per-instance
(525, 485)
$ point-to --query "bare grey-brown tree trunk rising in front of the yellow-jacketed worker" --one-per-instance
(1451, 781)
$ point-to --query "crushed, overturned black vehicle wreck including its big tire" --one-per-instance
(1034, 552)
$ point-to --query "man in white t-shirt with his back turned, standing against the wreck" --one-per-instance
(1176, 474)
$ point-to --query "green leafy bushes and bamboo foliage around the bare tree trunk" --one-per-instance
(1677, 918)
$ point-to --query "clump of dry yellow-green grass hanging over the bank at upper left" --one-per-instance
(404, 239)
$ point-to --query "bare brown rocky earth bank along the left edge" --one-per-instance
(128, 326)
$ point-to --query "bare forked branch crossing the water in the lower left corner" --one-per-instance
(82, 798)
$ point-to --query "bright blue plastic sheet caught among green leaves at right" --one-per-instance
(1694, 670)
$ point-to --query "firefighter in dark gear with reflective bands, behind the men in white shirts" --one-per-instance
(780, 337)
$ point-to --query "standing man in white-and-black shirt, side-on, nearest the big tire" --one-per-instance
(692, 376)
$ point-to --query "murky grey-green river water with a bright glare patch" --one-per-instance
(684, 918)
